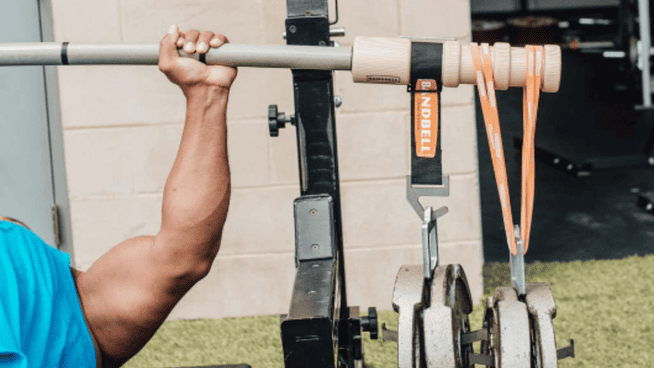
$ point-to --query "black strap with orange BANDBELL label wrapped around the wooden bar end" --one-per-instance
(426, 64)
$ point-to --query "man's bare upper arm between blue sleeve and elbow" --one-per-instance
(128, 293)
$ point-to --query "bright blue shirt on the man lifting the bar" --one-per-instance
(41, 319)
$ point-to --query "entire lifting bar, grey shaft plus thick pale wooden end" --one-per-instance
(371, 59)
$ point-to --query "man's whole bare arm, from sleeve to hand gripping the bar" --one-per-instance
(128, 293)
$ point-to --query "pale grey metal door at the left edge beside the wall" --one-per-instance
(26, 178)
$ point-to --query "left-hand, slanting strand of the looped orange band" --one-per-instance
(485, 84)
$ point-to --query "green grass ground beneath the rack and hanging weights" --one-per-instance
(606, 306)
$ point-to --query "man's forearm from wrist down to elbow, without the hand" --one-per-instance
(197, 191)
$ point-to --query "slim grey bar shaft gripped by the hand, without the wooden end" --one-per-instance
(262, 56)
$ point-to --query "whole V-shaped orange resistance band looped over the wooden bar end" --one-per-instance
(485, 84)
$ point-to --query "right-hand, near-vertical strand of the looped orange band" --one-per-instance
(531, 95)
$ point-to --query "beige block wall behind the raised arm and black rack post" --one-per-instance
(122, 126)
